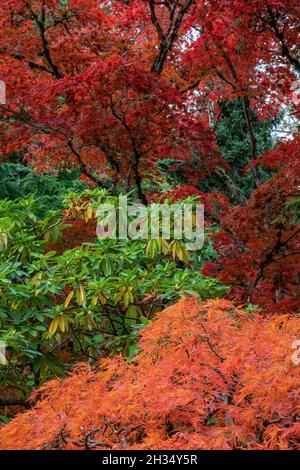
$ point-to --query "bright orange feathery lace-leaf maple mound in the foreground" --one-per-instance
(208, 376)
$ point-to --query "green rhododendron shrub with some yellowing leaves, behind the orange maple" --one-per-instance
(88, 302)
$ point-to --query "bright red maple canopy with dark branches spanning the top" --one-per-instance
(109, 87)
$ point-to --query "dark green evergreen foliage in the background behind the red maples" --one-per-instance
(234, 144)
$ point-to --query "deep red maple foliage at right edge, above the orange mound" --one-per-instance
(259, 243)
